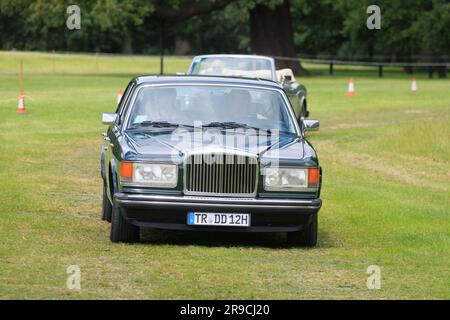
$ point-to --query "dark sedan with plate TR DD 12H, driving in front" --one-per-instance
(209, 154)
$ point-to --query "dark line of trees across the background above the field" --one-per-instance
(410, 30)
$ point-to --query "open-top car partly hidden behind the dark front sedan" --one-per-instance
(253, 66)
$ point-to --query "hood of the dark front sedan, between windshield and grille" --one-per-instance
(177, 144)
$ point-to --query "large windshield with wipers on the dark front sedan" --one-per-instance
(210, 105)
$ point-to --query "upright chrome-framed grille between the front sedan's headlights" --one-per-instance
(221, 174)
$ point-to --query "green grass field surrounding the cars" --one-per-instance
(386, 160)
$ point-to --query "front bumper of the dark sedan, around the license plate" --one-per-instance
(170, 212)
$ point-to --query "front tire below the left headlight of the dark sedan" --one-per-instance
(121, 230)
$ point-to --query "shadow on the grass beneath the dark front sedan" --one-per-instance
(227, 239)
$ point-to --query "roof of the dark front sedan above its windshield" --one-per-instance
(201, 79)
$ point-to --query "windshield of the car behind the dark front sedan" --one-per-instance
(252, 67)
